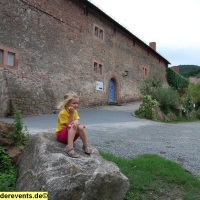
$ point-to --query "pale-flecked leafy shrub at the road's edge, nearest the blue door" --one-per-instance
(147, 108)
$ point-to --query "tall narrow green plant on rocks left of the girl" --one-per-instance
(19, 134)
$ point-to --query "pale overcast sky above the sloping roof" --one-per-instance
(173, 24)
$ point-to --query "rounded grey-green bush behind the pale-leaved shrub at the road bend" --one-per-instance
(167, 98)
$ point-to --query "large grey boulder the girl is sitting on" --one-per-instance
(44, 166)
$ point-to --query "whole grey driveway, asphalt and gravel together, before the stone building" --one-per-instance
(115, 130)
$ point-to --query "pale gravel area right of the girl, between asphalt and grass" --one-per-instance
(176, 142)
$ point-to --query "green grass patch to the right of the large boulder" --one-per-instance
(154, 177)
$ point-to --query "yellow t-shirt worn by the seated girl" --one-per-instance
(63, 118)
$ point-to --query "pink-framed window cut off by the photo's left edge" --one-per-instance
(8, 58)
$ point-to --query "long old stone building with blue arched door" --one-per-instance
(50, 47)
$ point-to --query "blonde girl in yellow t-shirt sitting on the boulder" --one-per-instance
(68, 127)
